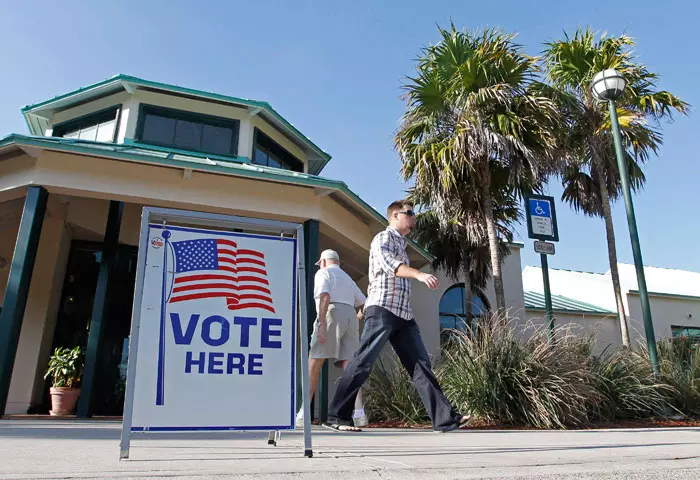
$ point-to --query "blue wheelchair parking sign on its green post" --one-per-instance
(542, 226)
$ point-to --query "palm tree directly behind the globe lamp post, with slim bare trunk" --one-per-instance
(590, 176)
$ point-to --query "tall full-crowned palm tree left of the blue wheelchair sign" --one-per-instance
(476, 123)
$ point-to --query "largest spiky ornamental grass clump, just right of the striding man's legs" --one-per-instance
(501, 377)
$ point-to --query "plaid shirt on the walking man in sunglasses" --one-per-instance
(387, 253)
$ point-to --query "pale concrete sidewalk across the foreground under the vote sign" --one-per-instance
(79, 449)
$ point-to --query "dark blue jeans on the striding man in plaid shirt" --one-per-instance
(381, 326)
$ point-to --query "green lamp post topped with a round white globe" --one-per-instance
(609, 85)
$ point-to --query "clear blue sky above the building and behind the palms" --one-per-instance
(334, 70)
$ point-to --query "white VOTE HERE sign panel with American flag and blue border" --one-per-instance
(216, 332)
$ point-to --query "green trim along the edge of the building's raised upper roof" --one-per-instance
(121, 79)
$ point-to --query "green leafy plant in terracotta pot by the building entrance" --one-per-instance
(65, 368)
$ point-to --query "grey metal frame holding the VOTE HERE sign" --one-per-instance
(157, 215)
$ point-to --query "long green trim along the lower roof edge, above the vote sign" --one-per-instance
(179, 159)
